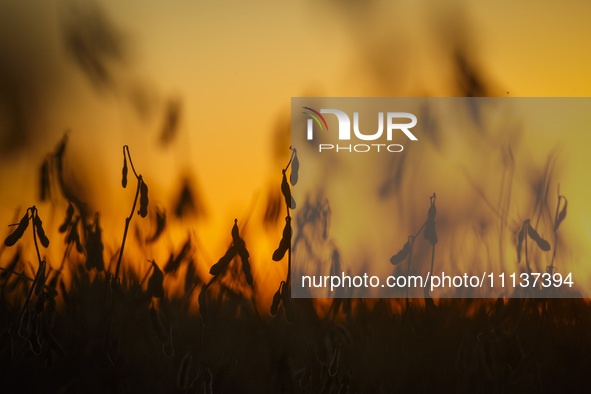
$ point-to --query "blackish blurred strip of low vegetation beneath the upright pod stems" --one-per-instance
(102, 339)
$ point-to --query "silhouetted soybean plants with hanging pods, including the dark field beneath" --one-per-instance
(88, 326)
